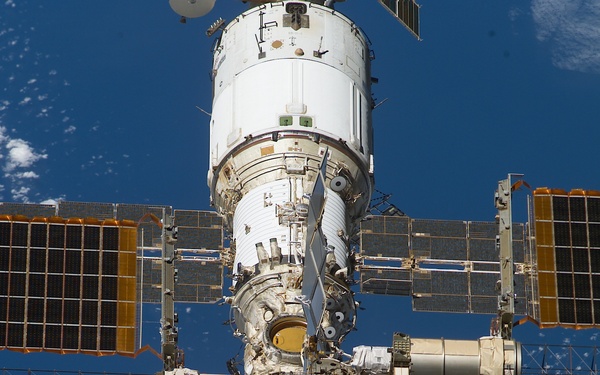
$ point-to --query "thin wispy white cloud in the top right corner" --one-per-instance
(572, 28)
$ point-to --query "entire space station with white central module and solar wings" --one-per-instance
(294, 228)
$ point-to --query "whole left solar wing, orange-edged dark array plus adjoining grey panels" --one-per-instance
(72, 275)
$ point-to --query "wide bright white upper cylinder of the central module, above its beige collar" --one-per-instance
(268, 76)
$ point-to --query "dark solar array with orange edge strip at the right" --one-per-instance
(568, 257)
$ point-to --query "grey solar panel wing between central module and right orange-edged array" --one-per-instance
(438, 279)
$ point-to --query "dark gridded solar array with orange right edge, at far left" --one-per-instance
(65, 286)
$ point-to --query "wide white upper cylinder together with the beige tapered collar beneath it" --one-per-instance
(289, 76)
